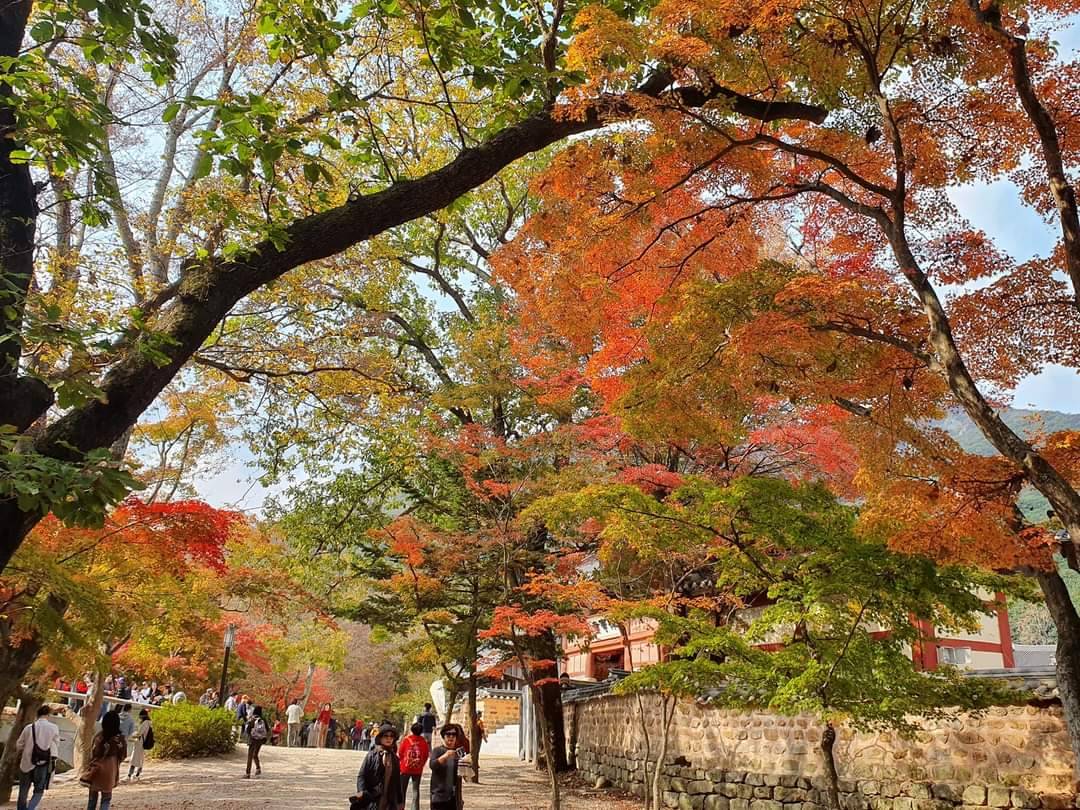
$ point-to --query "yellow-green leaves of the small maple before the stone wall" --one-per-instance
(820, 619)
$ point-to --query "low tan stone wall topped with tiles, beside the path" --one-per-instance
(723, 760)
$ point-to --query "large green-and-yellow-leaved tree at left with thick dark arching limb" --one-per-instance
(282, 127)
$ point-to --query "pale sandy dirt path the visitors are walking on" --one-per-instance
(306, 779)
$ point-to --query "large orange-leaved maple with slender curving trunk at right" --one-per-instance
(698, 255)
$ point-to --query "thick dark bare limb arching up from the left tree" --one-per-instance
(210, 289)
